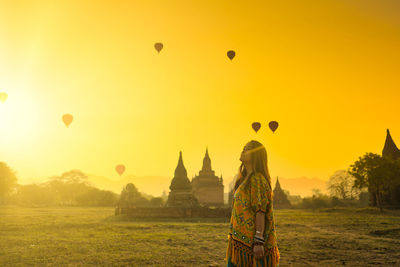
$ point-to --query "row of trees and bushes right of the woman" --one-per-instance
(369, 181)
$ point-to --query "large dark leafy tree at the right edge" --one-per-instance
(378, 173)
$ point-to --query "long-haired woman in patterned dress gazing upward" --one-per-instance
(252, 238)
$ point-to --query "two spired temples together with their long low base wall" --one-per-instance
(200, 198)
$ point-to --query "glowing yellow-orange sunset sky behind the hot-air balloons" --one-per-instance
(327, 71)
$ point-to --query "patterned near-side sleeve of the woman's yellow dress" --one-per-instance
(259, 191)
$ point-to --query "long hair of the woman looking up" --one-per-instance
(259, 161)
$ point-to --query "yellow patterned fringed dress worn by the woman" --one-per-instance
(254, 194)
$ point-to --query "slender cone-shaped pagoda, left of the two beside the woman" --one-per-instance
(181, 188)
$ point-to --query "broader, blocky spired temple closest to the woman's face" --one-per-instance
(207, 187)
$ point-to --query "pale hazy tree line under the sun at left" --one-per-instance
(71, 188)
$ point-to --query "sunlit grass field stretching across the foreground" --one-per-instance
(94, 236)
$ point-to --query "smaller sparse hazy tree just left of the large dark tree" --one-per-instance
(341, 185)
